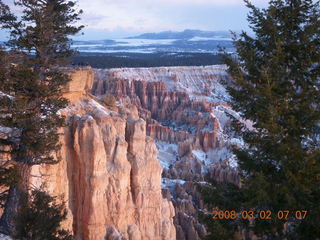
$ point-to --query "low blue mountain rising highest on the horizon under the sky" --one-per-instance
(186, 34)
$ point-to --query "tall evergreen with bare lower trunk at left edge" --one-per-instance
(33, 81)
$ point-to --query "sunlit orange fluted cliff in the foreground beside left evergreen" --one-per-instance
(108, 174)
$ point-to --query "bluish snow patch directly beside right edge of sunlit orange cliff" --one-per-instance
(167, 153)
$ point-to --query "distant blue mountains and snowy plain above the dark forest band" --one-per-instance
(188, 41)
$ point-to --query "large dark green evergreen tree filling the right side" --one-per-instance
(276, 84)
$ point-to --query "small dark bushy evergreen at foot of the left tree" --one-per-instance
(40, 218)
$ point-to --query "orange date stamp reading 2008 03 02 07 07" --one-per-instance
(263, 214)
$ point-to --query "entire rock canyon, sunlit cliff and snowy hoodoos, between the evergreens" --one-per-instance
(128, 167)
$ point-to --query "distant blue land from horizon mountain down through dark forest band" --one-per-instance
(186, 48)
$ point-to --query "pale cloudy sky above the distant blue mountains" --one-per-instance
(105, 19)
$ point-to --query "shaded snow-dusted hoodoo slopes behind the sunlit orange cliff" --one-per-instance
(186, 113)
